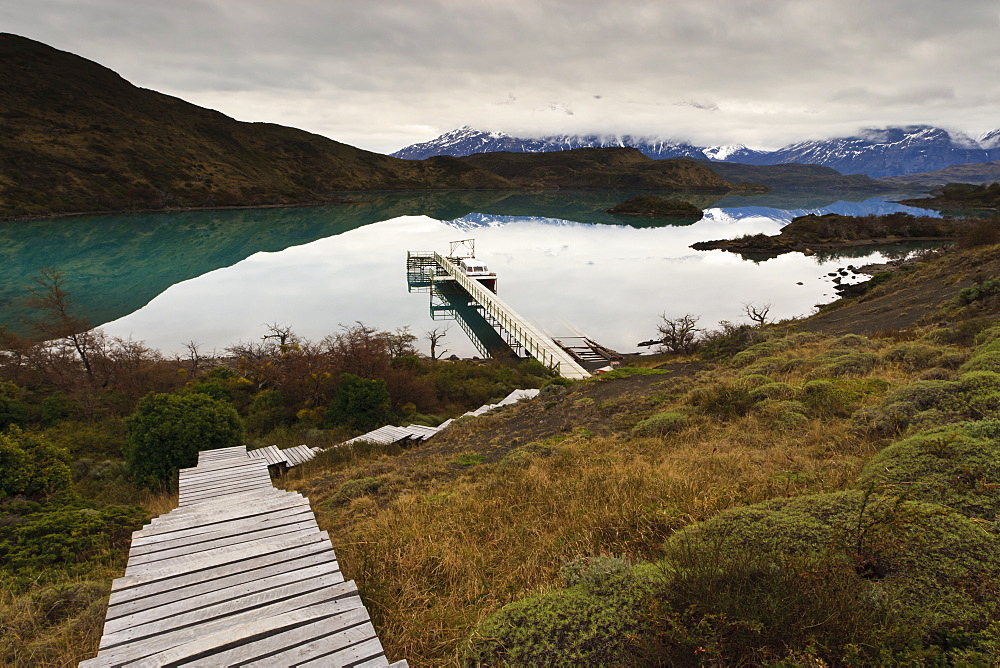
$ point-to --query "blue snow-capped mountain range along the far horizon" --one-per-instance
(875, 152)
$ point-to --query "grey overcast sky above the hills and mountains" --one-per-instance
(382, 74)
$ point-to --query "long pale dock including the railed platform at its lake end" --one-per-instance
(433, 267)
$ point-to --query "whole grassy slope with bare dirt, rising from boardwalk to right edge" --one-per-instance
(436, 544)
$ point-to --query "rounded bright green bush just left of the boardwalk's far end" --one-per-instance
(167, 431)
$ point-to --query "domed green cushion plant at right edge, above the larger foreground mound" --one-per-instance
(956, 466)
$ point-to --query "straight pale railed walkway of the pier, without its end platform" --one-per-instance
(538, 344)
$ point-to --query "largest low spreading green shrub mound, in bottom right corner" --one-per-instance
(894, 573)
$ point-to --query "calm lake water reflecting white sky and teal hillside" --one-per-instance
(218, 277)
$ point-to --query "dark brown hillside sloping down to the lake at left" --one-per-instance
(75, 136)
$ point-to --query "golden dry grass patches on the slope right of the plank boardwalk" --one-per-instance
(435, 546)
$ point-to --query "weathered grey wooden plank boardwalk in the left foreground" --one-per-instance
(238, 575)
